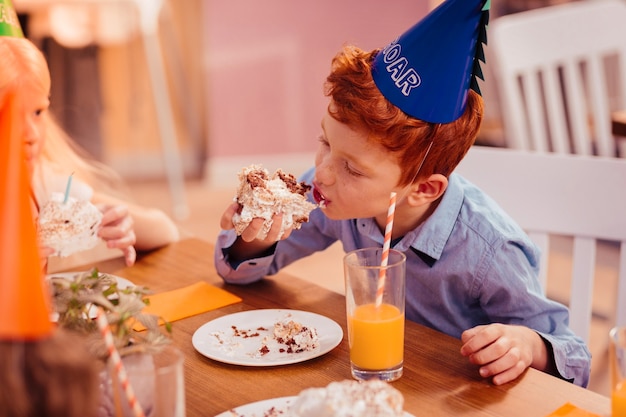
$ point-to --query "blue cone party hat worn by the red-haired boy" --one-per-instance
(428, 71)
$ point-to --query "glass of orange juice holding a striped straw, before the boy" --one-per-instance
(375, 318)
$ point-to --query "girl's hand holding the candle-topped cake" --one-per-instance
(116, 229)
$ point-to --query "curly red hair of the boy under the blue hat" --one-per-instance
(359, 104)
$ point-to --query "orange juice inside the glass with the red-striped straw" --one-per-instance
(376, 336)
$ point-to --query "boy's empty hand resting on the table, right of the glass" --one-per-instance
(503, 351)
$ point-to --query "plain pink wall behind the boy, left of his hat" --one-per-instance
(266, 62)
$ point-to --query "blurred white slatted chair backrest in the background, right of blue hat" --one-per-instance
(560, 72)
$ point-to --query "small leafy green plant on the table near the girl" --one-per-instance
(76, 299)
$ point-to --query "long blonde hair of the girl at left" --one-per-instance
(24, 64)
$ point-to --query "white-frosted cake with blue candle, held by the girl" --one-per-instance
(68, 227)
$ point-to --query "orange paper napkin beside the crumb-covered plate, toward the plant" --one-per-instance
(188, 301)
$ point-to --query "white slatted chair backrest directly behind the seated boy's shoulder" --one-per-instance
(578, 196)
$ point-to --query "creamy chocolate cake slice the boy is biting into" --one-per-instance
(262, 195)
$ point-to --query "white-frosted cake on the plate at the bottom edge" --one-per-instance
(373, 398)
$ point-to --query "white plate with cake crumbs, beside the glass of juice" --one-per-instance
(216, 339)
